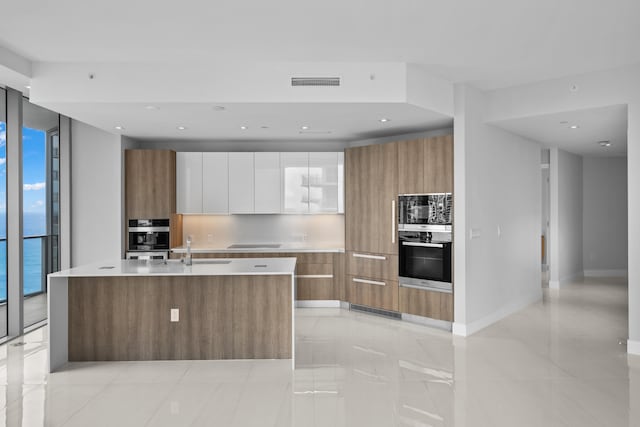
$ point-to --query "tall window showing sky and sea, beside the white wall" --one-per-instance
(39, 146)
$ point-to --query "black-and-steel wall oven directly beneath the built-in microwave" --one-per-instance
(425, 263)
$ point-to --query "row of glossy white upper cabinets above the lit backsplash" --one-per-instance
(263, 183)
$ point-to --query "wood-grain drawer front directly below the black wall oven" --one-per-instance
(436, 305)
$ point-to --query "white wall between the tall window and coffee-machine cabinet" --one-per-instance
(95, 195)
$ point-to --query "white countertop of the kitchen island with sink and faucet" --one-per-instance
(200, 267)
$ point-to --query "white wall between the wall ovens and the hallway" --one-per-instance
(498, 176)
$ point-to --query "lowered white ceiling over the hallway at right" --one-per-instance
(594, 125)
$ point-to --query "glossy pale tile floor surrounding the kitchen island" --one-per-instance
(556, 363)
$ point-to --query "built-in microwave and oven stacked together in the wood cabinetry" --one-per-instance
(424, 236)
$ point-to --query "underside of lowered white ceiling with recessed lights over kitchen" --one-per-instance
(326, 121)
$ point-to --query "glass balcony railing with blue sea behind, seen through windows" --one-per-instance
(34, 266)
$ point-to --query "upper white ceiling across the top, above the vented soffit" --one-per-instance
(492, 43)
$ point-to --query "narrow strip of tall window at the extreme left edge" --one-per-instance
(3, 214)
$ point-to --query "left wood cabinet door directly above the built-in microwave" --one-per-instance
(411, 166)
